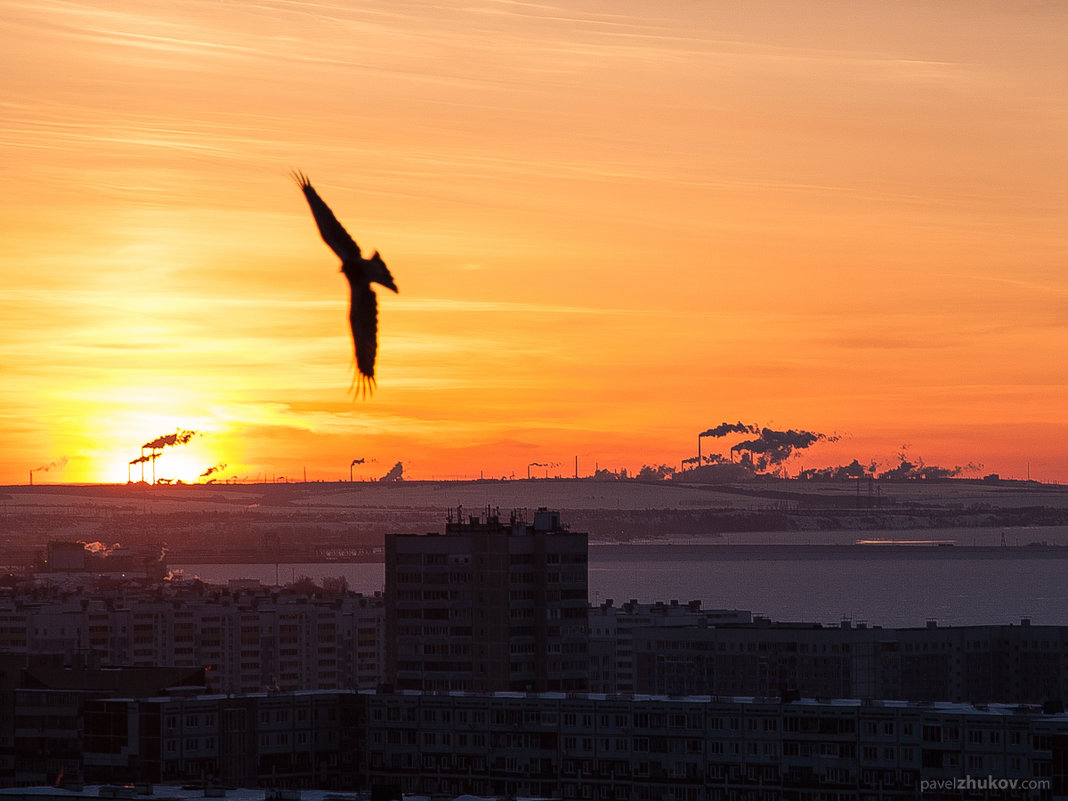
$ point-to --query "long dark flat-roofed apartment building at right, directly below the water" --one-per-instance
(1022, 664)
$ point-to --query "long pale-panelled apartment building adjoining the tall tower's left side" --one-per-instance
(249, 639)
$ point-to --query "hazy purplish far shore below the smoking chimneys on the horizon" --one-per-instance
(340, 521)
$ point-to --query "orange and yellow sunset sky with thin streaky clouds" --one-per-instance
(614, 226)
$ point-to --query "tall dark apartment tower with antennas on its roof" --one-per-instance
(490, 606)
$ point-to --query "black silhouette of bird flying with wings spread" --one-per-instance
(360, 272)
